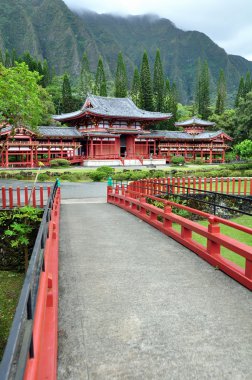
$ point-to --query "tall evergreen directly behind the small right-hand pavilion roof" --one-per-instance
(203, 90)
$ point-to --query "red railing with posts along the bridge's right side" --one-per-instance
(163, 220)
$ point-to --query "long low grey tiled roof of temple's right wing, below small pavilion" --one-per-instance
(173, 135)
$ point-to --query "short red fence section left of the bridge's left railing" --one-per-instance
(17, 197)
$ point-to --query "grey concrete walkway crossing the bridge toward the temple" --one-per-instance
(134, 304)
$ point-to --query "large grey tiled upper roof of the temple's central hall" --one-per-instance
(114, 107)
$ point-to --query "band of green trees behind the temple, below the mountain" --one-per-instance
(149, 90)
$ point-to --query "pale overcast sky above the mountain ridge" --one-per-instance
(226, 22)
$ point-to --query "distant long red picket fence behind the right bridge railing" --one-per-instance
(233, 186)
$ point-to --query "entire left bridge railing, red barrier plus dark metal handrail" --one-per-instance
(31, 350)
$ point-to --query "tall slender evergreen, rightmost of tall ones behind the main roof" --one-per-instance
(158, 83)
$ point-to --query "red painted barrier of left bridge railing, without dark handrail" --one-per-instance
(45, 329)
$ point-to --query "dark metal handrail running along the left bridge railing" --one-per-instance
(26, 305)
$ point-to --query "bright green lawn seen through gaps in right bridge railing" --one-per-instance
(231, 232)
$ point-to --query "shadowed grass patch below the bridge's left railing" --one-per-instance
(10, 286)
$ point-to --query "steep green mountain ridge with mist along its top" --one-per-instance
(49, 29)
